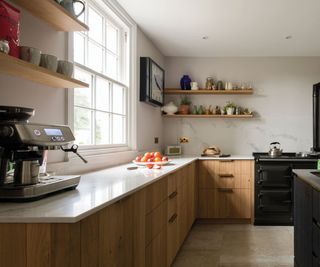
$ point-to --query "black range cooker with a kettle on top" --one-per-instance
(273, 196)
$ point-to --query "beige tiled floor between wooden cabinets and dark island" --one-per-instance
(237, 245)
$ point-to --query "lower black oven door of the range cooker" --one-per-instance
(274, 201)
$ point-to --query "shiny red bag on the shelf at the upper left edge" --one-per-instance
(10, 24)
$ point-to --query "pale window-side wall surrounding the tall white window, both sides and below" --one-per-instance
(51, 103)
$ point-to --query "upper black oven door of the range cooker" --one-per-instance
(274, 175)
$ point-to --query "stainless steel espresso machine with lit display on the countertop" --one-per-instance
(22, 149)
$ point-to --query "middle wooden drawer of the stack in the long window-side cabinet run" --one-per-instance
(156, 221)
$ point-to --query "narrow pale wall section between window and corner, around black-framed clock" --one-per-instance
(150, 122)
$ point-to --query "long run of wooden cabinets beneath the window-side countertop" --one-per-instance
(144, 229)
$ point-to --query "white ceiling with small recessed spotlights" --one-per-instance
(234, 27)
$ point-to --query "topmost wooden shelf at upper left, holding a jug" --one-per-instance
(54, 14)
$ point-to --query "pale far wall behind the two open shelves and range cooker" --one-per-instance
(282, 100)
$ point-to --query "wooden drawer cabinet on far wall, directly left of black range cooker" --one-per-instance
(225, 189)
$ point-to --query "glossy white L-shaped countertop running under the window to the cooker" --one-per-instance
(95, 191)
